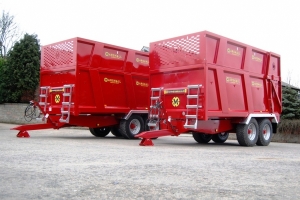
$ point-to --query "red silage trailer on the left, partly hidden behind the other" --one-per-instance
(92, 84)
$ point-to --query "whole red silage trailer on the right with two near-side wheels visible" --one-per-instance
(212, 85)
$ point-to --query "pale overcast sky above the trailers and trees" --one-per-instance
(271, 25)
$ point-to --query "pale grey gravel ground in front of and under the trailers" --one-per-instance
(73, 164)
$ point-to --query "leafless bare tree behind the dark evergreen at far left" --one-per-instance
(9, 33)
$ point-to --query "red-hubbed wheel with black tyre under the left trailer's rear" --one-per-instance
(131, 127)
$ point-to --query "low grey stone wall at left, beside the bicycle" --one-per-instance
(13, 113)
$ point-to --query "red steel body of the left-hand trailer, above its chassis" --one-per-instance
(107, 78)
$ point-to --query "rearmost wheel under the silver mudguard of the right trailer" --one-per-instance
(265, 132)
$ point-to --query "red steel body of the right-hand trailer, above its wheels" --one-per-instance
(237, 79)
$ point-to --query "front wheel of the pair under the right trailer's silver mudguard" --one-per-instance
(247, 134)
